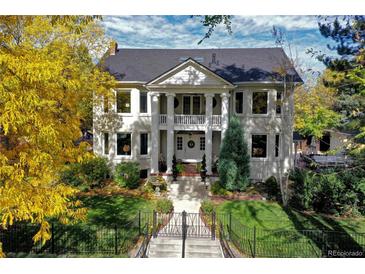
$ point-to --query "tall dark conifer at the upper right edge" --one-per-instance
(347, 34)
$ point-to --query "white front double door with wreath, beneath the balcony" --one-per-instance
(190, 147)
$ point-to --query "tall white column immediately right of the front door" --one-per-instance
(208, 131)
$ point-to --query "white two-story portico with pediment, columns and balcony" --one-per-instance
(188, 103)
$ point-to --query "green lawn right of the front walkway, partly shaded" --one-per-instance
(284, 232)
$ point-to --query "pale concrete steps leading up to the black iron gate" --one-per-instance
(170, 247)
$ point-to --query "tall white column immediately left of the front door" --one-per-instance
(170, 131)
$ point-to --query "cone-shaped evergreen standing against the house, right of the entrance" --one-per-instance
(234, 160)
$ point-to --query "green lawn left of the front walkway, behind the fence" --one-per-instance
(111, 230)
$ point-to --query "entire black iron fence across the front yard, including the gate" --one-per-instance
(118, 240)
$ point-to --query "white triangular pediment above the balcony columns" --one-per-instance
(190, 73)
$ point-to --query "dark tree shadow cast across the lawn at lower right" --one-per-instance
(330, 235)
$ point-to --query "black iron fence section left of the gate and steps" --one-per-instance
(74, 240)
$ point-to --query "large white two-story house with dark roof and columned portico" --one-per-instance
(178, 101)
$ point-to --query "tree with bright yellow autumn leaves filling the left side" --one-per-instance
(47, 72)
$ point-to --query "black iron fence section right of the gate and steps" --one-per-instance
(284, 243)
